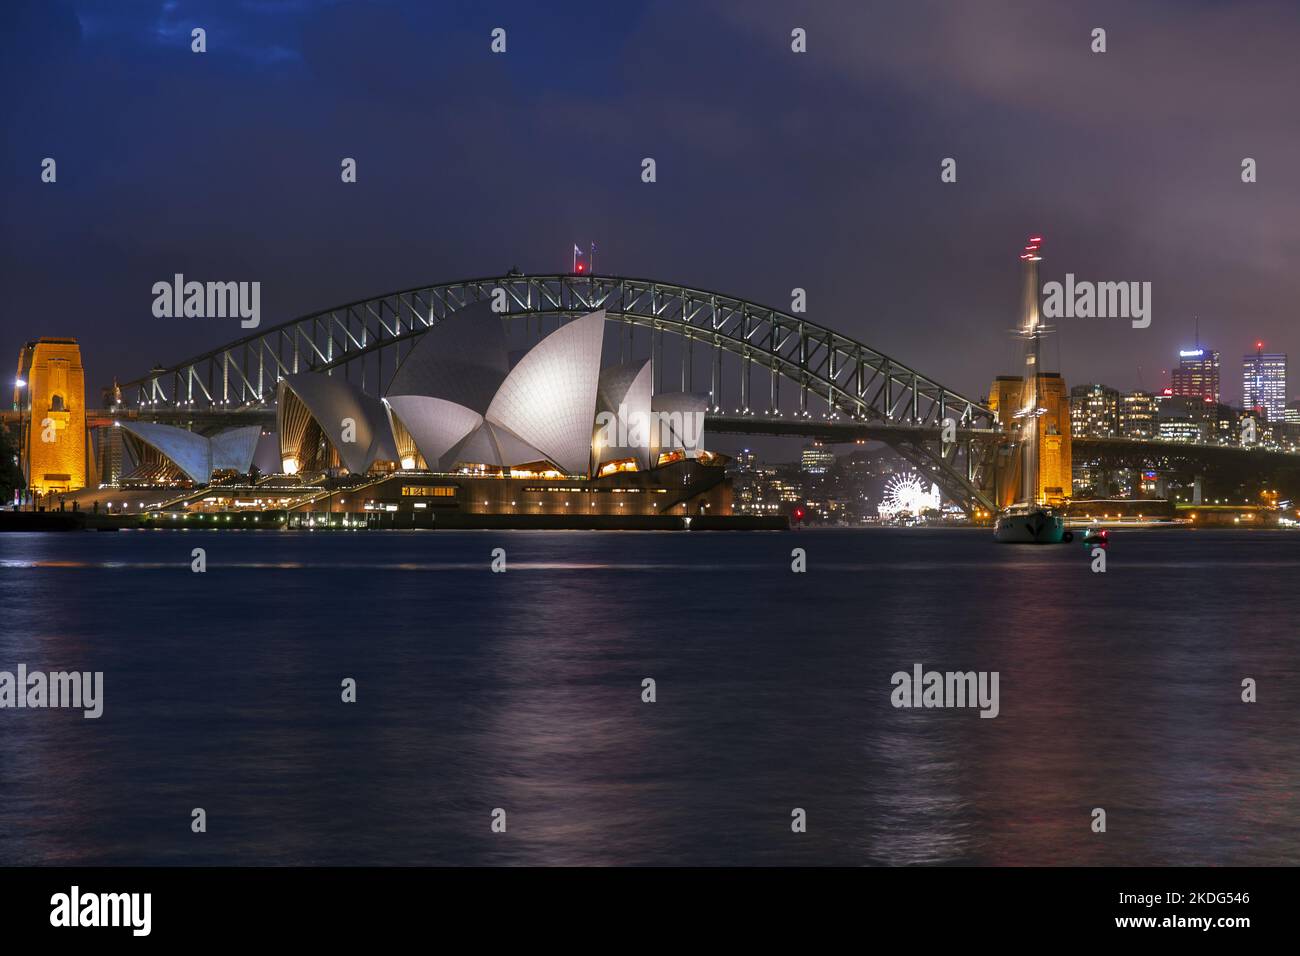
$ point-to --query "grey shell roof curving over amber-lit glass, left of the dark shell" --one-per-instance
(340, 408)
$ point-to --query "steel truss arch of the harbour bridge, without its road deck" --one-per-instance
(855, 380)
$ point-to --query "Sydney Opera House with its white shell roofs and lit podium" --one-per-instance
(463, 430)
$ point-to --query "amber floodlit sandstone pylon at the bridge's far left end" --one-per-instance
(51, 395)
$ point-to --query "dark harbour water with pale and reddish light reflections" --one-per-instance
(523, 691)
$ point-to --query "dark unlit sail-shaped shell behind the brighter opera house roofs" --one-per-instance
(462, 360)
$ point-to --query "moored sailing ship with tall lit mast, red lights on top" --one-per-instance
(1030, 521)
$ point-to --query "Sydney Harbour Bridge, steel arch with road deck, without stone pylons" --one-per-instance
(765, 371)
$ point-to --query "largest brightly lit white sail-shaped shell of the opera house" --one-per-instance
(549, 399)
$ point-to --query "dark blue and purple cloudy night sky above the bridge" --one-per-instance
(775, 170)
